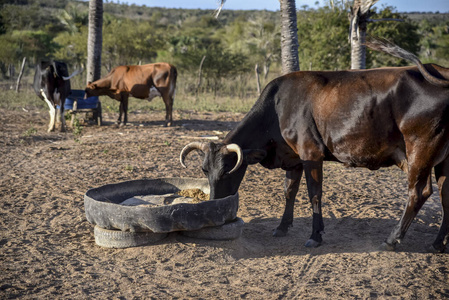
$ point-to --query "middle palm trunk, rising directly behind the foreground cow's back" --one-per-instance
(289, 37)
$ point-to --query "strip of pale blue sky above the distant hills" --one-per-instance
(401, 5)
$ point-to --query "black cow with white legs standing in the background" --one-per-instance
(52, 84)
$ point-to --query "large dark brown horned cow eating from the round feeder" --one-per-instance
(361, 118)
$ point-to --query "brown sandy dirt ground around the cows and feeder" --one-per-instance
(48, 251)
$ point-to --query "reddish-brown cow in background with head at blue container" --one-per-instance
(143, 82)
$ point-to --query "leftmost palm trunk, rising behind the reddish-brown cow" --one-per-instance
(94, 40)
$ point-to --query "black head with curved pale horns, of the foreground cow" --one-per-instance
(224, 165)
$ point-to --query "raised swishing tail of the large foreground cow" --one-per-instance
(383, 45)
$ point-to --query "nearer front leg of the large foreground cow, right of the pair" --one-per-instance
(314, 177)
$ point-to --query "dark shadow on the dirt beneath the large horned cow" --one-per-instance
(345, 235)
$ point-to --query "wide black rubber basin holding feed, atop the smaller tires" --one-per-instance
(103, 206)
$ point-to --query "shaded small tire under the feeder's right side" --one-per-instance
(228, 231)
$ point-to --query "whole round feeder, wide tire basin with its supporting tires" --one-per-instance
(120, 226)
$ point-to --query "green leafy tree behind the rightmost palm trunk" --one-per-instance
(323, 38)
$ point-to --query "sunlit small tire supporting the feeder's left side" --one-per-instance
(125, 239)
